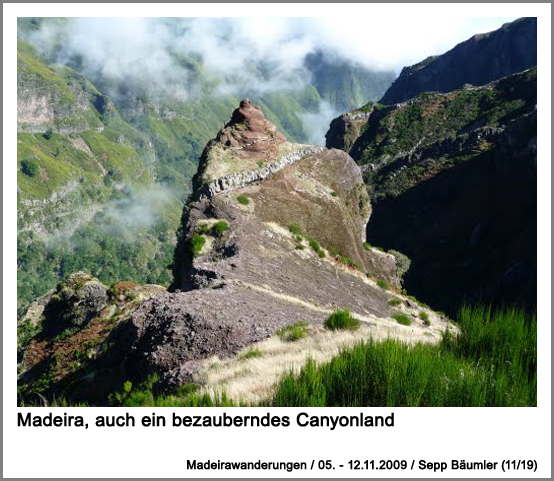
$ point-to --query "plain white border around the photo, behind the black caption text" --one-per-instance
(432, 434)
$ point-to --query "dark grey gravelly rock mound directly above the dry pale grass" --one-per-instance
(173, 333)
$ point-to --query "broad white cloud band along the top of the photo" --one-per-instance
(159, 55)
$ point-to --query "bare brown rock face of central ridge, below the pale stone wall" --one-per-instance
(260, 274)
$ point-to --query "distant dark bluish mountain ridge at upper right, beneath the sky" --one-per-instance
(477, 61)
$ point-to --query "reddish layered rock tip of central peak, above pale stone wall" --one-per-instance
(250, 133)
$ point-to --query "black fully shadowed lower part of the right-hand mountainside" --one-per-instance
(471, 230)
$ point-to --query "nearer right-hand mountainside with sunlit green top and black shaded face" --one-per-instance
(453, 183)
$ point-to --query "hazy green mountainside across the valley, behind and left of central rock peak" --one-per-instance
(112, 148)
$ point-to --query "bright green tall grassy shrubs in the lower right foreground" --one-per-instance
(493, 362)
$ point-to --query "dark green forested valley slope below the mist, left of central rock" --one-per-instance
(111, 254)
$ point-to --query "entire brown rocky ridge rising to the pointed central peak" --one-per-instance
(251, 259)
